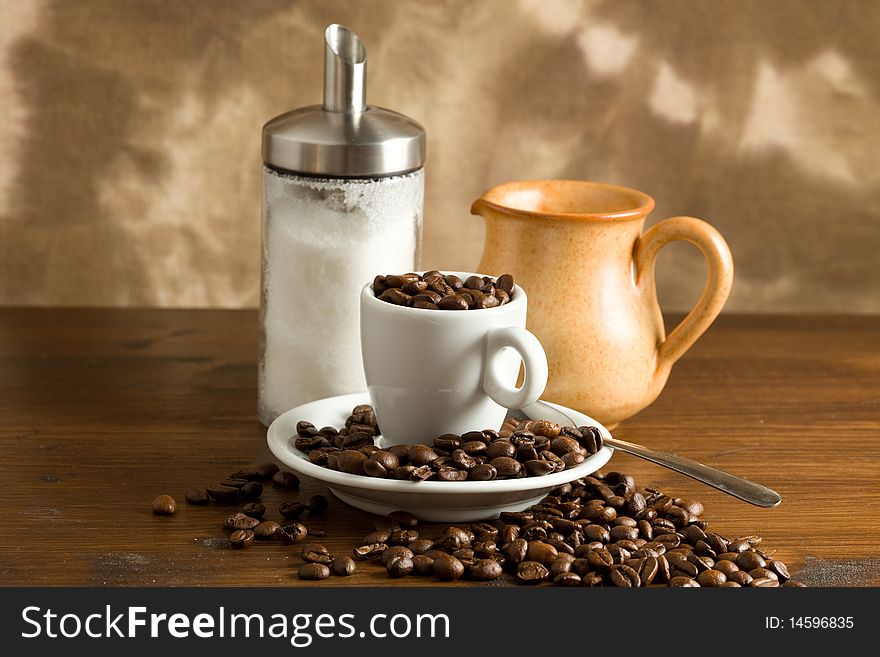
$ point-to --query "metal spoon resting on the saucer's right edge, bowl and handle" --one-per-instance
(739, 487)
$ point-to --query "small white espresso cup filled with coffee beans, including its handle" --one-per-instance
(432, 372)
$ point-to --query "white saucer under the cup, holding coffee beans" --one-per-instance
(439, 501)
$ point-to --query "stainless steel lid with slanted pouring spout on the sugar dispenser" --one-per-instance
(344, 137)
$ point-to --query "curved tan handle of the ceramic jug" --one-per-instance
(718, 282)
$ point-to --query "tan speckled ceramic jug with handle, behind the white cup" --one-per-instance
(577, 248)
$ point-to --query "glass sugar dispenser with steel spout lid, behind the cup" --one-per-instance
(343, 190)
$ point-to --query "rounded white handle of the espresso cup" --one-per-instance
(535, 360)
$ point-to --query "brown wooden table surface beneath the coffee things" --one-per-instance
(101, 410)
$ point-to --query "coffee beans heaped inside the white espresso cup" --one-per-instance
(434, 290)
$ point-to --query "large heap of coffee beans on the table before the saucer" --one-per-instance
(598, 531)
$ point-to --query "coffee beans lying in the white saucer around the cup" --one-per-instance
(531, 448)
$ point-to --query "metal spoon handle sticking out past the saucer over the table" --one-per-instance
(740, 487)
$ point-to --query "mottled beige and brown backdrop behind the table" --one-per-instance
(130, 133)
